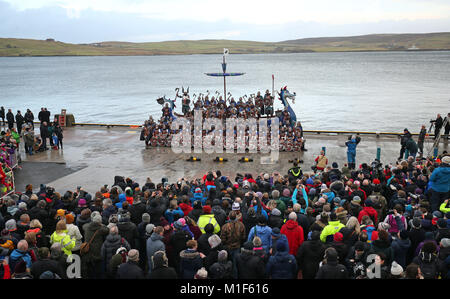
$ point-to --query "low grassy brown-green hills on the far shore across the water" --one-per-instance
(373, 42)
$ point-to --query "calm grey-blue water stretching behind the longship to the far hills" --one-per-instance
(335, 91)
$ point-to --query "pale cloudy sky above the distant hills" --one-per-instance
(89, 21)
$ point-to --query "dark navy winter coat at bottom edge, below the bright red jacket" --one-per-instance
(282, 265)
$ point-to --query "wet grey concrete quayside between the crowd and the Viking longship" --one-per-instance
(92, 156)
